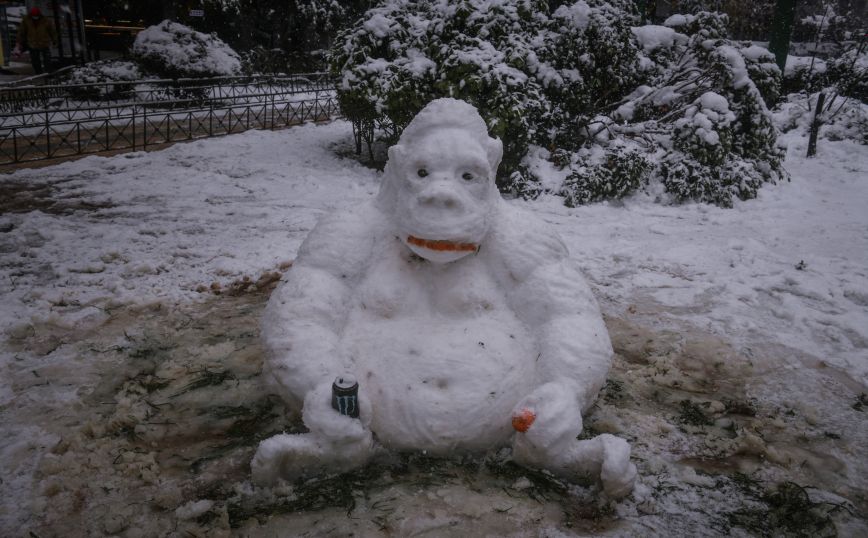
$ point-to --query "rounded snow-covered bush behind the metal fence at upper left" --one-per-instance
(172, 50)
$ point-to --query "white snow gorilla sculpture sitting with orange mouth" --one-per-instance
(460, 315)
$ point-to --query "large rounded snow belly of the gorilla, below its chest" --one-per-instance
(441, 384)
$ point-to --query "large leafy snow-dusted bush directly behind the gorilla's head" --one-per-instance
(534, 78)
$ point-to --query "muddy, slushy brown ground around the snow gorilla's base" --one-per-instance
(164, 406)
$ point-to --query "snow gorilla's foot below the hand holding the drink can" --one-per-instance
(293, 456)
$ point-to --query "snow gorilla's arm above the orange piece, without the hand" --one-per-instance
(553, 299)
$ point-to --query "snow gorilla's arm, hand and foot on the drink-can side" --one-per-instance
(301, 330)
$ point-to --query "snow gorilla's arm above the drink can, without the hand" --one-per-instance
(304, 314)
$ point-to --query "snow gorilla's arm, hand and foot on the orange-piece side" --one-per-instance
(551, 296)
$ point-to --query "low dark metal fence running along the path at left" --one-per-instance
(48, 122)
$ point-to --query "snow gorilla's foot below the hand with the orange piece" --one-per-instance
(604, 458)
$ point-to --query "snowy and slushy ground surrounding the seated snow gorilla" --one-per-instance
(130, 400)
